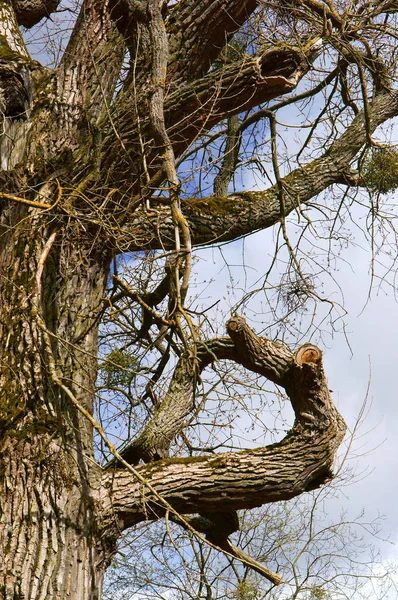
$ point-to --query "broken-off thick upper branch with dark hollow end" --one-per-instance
(236, 87)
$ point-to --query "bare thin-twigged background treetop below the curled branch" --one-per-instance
(319, 559)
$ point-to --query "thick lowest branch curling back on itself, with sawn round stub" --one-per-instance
(231, 481)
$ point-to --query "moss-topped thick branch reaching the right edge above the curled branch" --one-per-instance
(217, 219)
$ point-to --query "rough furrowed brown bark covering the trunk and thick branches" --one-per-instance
(79, 161)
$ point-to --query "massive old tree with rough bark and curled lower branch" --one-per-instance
(90, 153)
